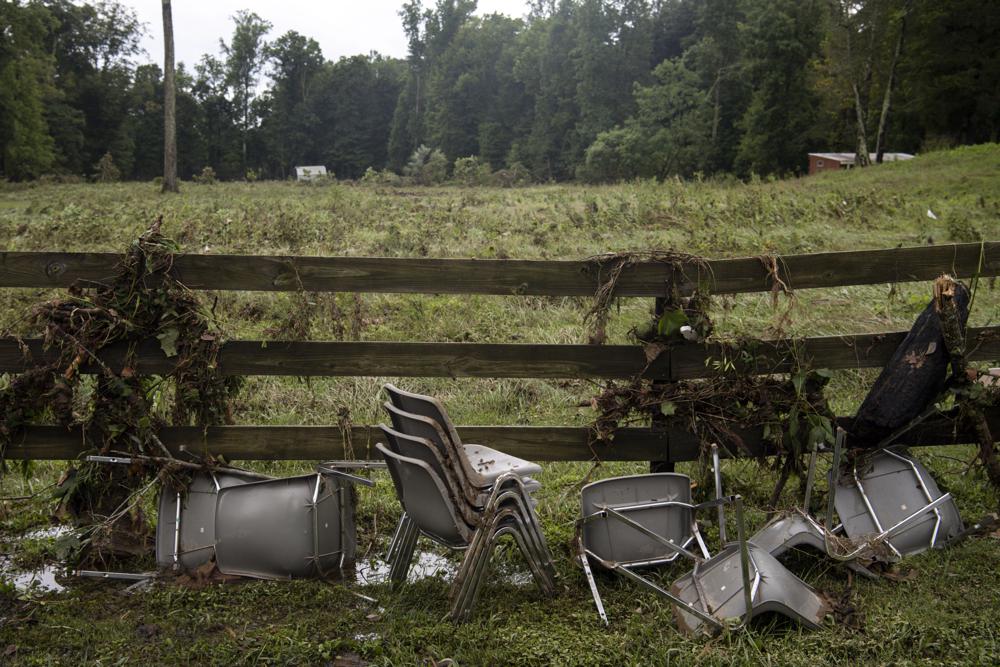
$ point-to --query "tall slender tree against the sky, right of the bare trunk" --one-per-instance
(245, 57)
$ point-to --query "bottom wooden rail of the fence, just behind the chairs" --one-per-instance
(539, 443)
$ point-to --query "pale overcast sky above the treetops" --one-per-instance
(342, 27)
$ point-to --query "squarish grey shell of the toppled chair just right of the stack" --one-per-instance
(612, 540)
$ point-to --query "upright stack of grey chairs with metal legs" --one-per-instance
(461, 496)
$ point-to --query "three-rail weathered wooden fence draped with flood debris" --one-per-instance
(649, 278)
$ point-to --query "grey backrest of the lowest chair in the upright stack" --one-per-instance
(425, 498)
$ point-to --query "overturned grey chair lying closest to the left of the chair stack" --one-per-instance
(289, 527)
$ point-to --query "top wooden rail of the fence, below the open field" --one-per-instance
(510, 276)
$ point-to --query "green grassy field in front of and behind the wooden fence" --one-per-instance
(941, 608)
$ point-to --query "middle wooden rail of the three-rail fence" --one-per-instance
(516, 360)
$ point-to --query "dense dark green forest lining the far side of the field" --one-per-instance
(595, 90)
